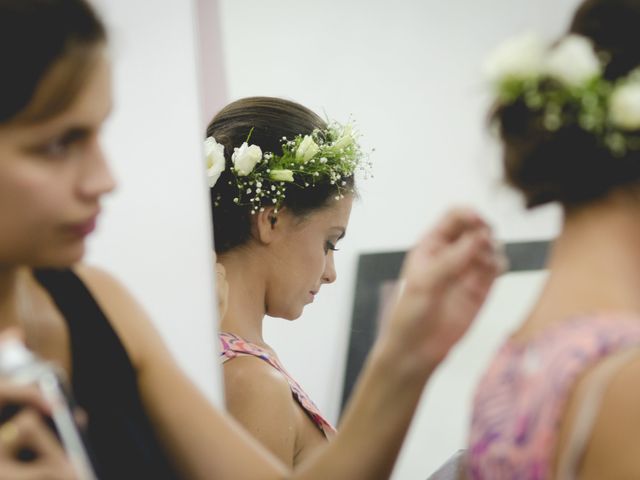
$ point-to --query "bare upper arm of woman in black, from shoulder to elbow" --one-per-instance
(203, 442)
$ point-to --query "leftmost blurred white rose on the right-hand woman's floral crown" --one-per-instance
(520, 57)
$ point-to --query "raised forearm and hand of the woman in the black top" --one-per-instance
(447, 277)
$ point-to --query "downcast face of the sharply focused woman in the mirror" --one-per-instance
(301, 260)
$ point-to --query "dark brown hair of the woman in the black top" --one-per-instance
(47, 51)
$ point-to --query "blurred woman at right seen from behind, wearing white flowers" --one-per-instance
(561, 398)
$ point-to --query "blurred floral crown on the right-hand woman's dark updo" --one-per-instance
(565, 85)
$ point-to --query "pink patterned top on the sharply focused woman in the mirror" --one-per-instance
(233, 346)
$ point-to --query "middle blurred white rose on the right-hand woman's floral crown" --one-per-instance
(573, 61)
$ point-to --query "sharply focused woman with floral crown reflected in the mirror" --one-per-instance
(282, 185)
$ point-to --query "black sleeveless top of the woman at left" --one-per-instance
(105, 384)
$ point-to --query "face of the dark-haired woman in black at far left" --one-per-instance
(52, 177)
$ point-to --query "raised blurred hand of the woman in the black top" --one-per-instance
(446, 278)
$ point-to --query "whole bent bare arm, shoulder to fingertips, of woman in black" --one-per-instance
(447, 278)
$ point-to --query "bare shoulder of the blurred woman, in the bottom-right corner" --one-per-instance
(611, 392)
